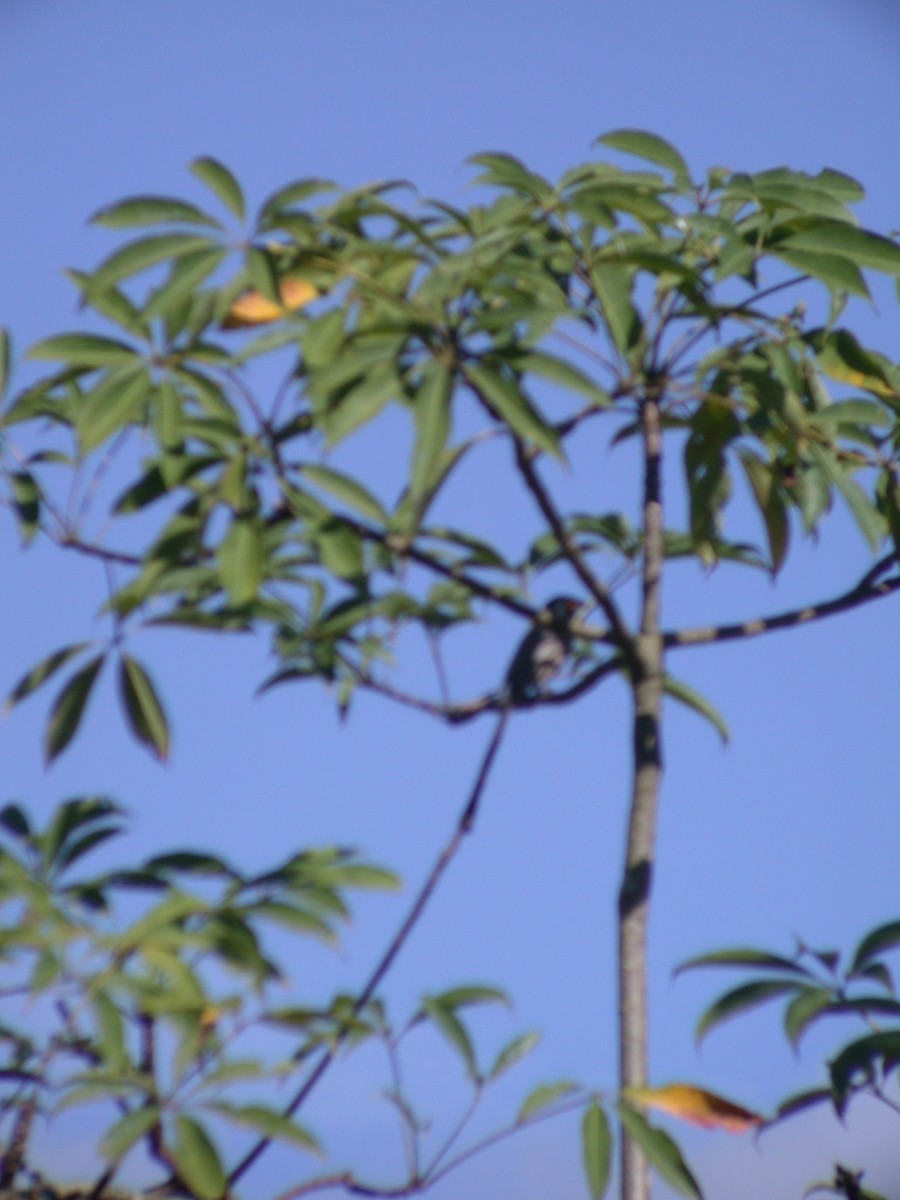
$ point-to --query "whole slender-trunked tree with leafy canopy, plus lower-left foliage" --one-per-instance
(637, 303)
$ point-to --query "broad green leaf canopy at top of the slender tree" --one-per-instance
(527, 319)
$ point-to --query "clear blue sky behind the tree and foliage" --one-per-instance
(793, 830)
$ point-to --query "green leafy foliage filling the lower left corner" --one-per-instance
(143, 994)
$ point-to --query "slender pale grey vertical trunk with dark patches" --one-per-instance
(635, 895)
